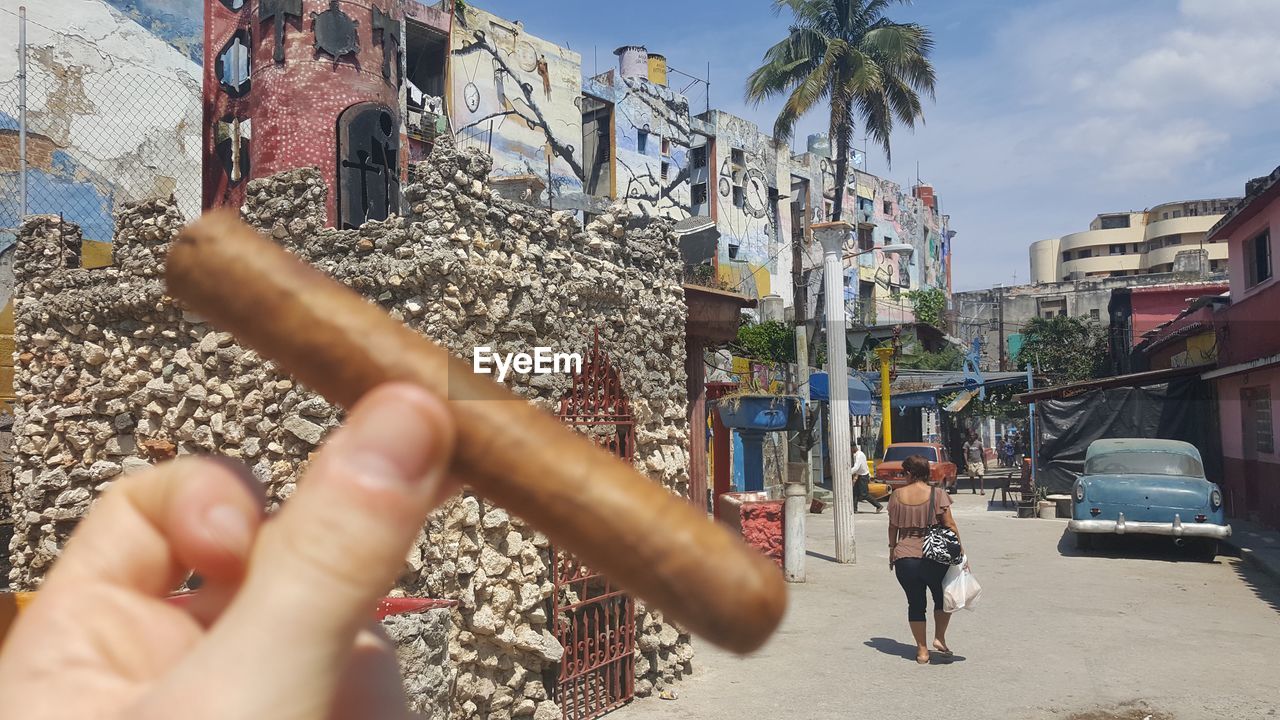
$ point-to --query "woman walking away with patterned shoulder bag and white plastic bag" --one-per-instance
(912, 511)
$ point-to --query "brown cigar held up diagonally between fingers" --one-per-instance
(588, 502)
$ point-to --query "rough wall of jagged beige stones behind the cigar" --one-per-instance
(112, 376)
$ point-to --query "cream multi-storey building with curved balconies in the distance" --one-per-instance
(1133, 244)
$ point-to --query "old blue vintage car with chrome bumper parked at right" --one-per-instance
(1148, 487)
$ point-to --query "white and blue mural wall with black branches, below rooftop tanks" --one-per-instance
(652, 144)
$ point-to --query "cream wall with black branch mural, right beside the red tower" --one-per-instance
(518, 98)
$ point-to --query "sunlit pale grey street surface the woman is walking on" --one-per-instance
(1126, 634)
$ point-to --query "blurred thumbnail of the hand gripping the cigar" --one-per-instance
(391, 441)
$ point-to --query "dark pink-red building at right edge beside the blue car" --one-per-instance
(1249, 339)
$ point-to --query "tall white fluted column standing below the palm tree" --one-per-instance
(834, 236)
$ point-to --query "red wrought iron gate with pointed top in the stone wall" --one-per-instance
(593, 618)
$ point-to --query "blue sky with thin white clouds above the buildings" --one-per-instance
(1048, 112)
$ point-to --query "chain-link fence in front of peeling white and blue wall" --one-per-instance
(108, 121)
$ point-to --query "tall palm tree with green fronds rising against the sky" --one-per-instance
(848, 53)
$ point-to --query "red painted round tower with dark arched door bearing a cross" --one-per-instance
(305, 84)
